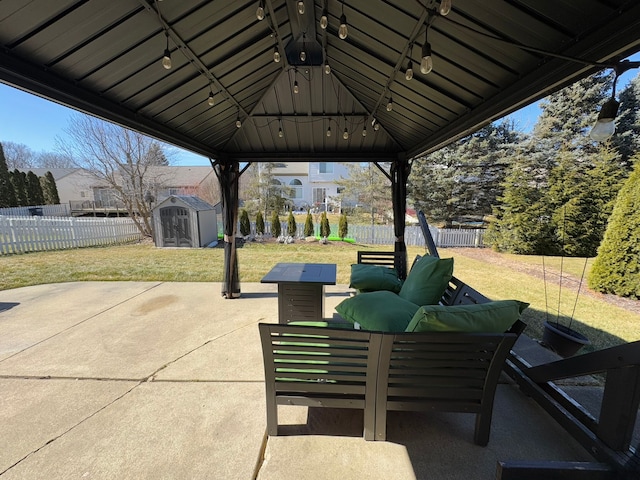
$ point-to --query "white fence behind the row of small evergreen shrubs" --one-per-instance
(383, 234)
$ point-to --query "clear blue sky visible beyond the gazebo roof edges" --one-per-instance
(37, 122)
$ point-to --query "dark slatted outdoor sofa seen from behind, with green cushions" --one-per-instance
(417, 362)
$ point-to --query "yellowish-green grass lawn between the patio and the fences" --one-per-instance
(605, 324)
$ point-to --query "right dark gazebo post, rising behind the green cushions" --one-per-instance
(400, 169)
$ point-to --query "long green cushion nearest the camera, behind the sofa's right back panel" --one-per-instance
(490, 317)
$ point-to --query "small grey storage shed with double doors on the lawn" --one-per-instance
(184, 221)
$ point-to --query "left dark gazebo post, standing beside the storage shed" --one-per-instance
(228, 173)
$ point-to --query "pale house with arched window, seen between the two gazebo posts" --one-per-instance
(312, 184)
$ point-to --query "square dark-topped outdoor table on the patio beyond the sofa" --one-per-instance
(301, 289)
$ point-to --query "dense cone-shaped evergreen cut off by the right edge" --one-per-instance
(616, 269)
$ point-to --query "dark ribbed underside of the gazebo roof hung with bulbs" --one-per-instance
(489, 59)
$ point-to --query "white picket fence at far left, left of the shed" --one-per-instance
(33, 234)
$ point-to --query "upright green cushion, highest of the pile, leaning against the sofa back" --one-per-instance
(427, 280)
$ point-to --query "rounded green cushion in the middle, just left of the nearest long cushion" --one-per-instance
(382, 311)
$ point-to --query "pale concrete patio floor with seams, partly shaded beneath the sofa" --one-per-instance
(123, 380)
